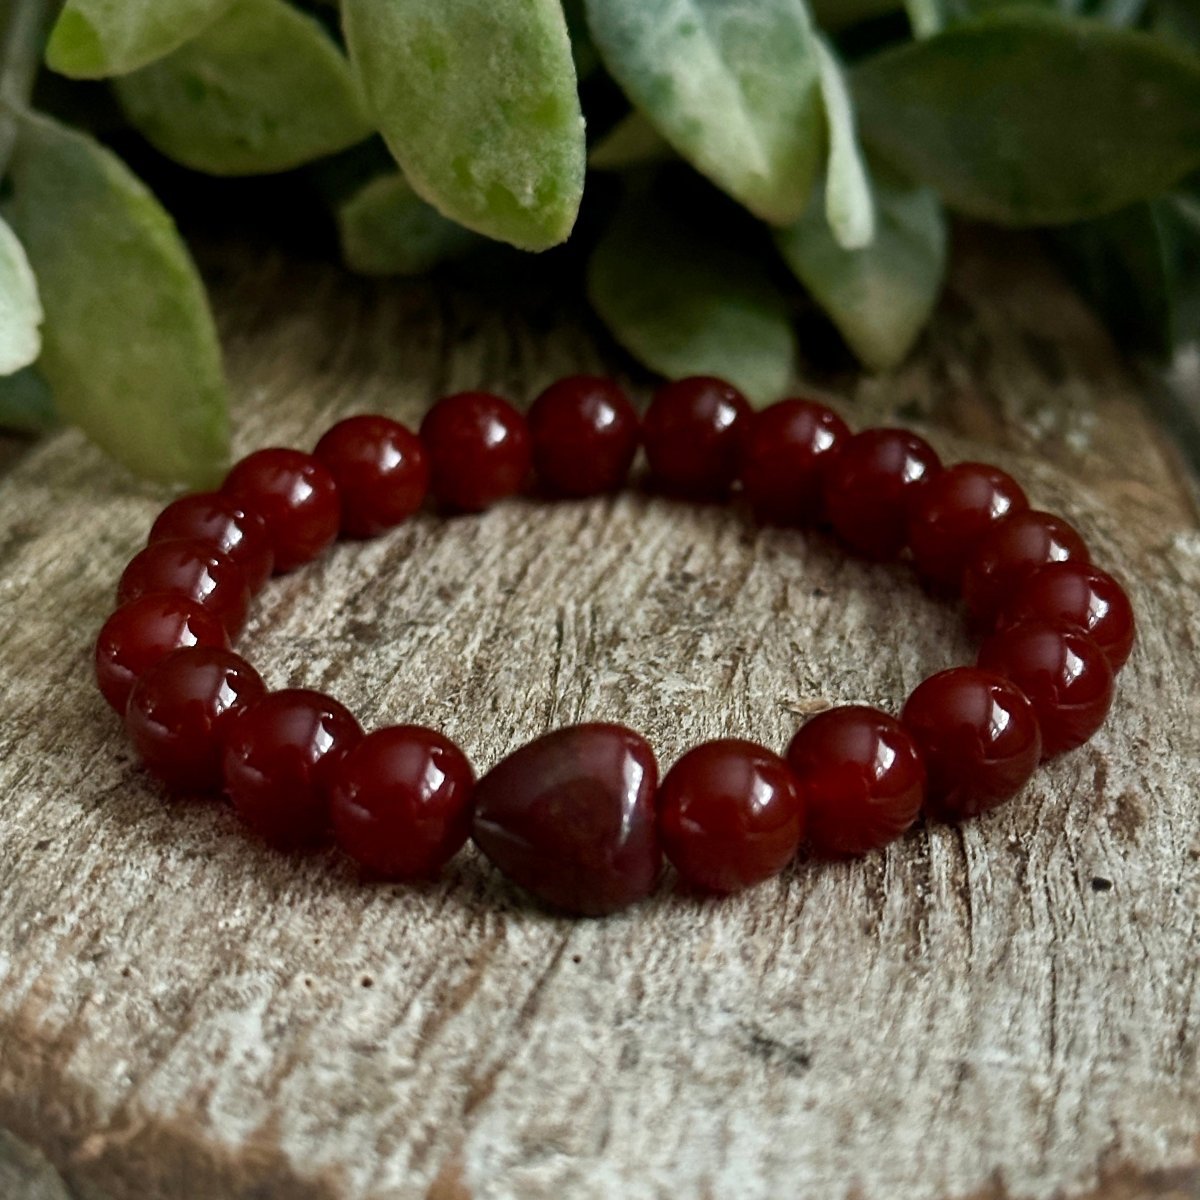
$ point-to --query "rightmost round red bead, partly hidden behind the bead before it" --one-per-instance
(1077, 595)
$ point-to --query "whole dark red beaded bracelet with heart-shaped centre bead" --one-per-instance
(578, 817)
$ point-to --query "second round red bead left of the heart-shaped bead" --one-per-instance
(280, 758)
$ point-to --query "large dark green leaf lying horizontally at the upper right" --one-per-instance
(1025, 119)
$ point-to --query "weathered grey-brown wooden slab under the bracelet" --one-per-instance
(1006, 1010)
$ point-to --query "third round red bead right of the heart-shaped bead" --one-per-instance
(979, 736)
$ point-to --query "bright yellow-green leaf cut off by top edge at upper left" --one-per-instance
(94, 39)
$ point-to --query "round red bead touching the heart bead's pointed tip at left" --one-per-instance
(401, 802)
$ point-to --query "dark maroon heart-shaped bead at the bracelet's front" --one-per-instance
(571, 818)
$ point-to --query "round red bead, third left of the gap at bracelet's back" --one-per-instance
(381, 471)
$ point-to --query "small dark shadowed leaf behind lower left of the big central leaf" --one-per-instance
(388, 230)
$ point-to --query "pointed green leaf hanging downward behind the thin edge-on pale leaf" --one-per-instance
(881, 297)
